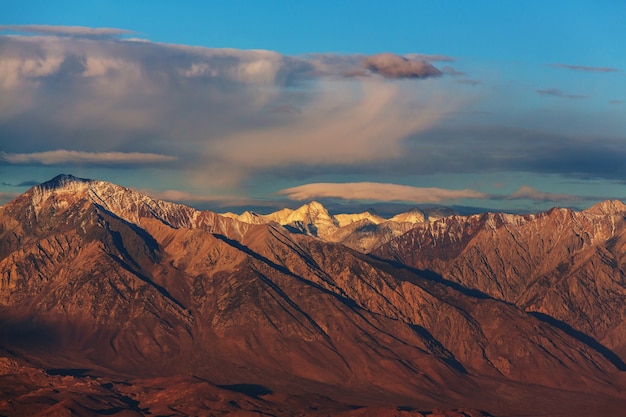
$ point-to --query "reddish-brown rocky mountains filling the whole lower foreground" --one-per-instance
(114, 303)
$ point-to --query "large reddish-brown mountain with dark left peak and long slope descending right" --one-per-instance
(101, 278)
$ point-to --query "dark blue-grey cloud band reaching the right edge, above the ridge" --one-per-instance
(487, 149)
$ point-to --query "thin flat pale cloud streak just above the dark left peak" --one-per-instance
(63, 156)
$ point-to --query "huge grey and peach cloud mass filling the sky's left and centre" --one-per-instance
(225, 113)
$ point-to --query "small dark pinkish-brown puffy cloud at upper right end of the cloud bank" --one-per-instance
(395, 66)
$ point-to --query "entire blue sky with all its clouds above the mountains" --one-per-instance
(235, 105)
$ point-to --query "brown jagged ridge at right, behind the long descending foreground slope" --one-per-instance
(566, 267)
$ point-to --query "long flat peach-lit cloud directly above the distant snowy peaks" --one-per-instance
(374, 191)
